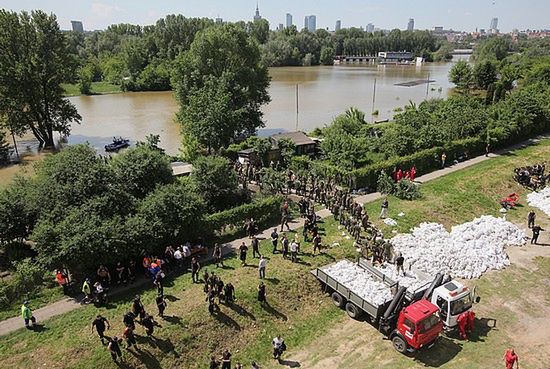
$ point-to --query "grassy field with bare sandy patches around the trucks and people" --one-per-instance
(318, 334)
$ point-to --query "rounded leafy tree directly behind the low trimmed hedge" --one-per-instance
(215, 180)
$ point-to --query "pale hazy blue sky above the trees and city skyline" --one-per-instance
(456, 14)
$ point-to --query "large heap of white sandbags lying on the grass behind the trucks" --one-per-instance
(468, 251)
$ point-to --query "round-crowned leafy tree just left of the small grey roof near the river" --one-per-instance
(140, 170)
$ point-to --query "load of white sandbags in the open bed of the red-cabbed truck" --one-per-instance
(359, 282)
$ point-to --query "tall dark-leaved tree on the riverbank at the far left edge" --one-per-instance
(33, 64)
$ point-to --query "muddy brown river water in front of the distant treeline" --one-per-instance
(323, 93)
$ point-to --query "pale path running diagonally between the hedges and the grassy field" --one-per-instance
(66, 305)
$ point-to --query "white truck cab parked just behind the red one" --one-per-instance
(452, 299)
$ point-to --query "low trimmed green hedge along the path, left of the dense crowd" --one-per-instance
(262, 211)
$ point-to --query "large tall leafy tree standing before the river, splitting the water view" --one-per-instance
(225, 56)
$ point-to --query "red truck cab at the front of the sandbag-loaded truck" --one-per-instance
(418, 325)
